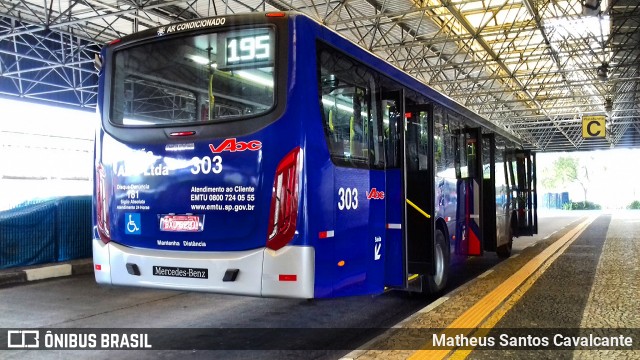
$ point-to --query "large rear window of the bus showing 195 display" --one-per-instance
(193, 79)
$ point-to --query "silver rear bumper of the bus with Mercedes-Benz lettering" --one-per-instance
(253, 264)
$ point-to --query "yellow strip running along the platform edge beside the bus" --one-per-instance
(488, 305)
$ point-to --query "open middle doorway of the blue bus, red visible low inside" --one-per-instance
(468, 166)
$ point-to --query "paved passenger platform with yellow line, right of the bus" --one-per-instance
(589, 285)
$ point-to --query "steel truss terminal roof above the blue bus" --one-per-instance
(534, 67)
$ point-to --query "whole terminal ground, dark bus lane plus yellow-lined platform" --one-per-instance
(580, 273)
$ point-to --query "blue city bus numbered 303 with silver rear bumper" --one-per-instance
(263, 154)
